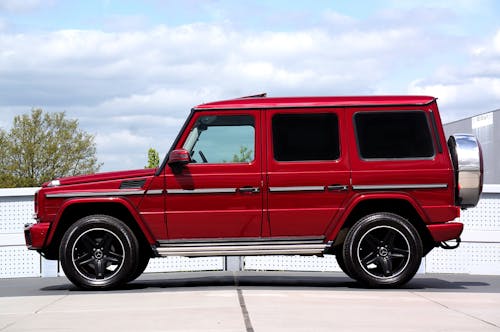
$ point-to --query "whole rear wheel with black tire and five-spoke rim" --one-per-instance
(382, 250)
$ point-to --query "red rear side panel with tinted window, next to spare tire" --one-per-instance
(394, 150)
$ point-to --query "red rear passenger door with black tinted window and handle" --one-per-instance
(308, 173)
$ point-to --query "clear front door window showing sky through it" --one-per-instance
(222, 139)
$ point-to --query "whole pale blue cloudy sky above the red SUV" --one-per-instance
(130, 71)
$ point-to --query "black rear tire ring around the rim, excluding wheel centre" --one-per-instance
(368, 224)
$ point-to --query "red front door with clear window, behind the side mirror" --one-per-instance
(218, 194)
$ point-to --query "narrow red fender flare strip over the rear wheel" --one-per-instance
(342, 217)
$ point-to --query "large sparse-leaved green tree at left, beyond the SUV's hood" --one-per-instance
(42, 146)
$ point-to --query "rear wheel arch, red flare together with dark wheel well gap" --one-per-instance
(399, 204)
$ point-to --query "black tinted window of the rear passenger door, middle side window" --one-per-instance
(300, 137)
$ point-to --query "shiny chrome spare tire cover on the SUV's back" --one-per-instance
(468, 164)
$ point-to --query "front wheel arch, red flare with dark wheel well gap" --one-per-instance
(75, 209)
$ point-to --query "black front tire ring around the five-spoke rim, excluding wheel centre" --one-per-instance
(112, 225)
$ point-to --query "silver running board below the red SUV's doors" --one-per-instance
(241, 247)
